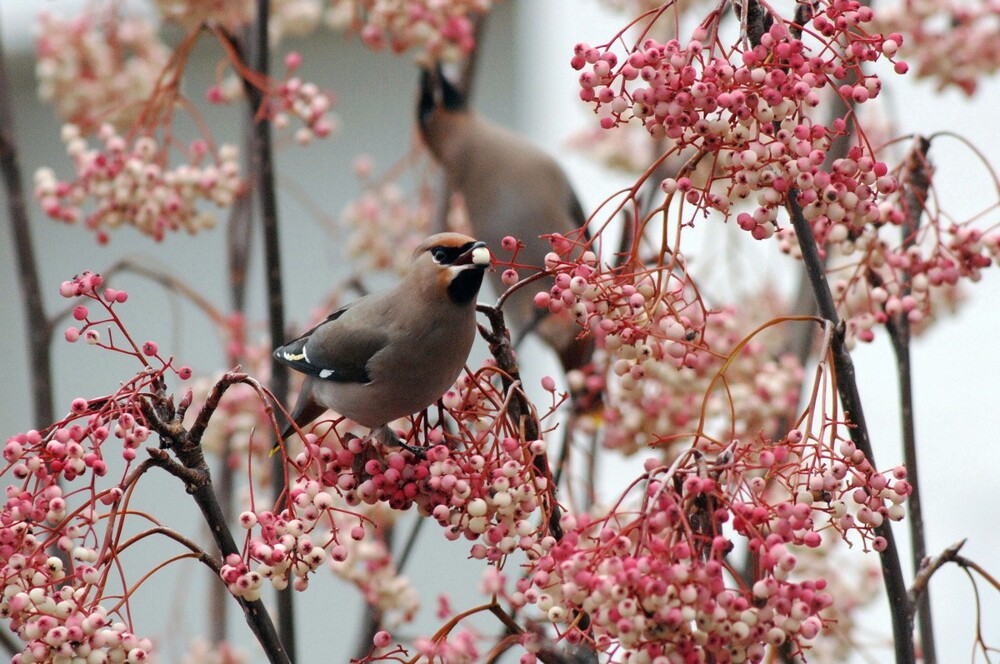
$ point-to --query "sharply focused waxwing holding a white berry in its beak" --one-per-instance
(393, 353)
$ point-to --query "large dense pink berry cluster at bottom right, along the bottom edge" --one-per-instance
(655, 578)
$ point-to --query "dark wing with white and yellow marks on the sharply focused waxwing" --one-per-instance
(334, 350)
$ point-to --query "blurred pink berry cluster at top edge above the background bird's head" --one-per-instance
(435, 30)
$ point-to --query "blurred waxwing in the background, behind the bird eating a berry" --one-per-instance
(510, 187)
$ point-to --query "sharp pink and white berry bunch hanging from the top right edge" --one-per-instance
(748, 110)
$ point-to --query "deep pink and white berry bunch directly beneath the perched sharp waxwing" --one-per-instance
(484, 485)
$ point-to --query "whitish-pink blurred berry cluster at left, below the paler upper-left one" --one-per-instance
(128, 182)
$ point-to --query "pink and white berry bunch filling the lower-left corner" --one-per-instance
(58, 500)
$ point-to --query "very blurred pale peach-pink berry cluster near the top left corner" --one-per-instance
(98, 67)
